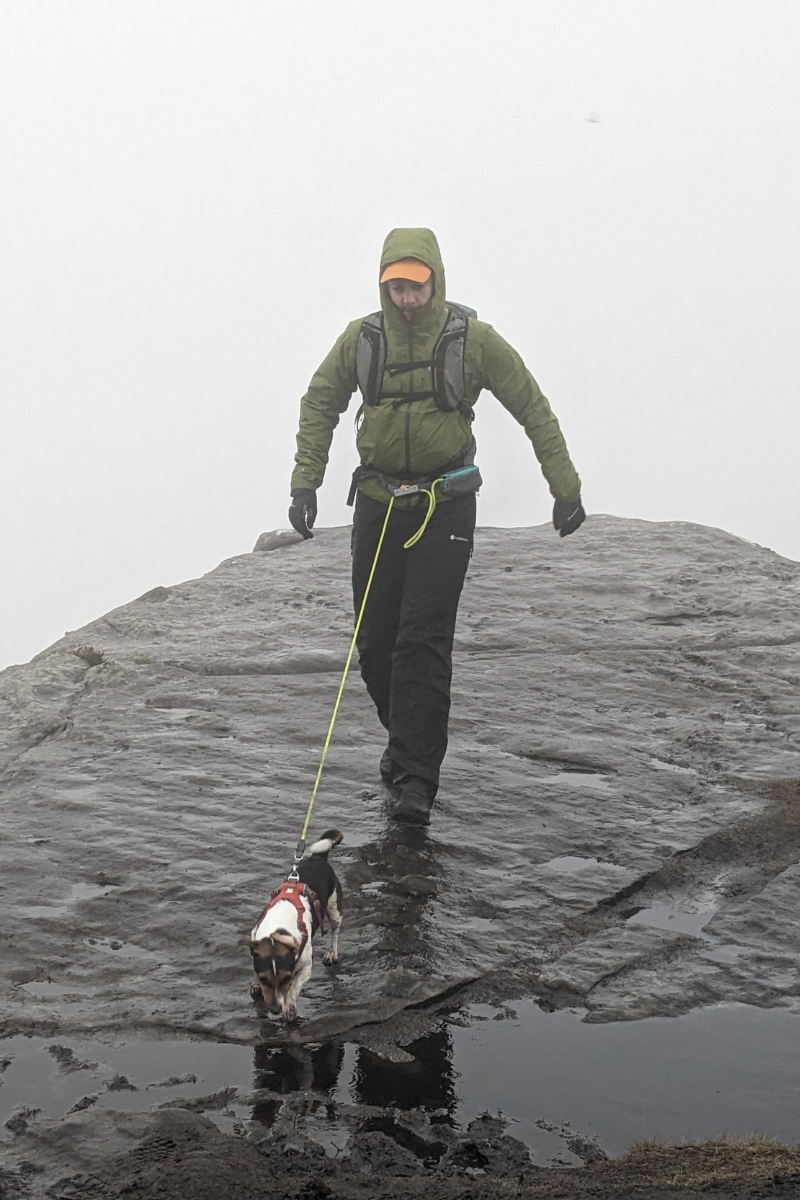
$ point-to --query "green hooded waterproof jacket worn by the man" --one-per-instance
(413, 441)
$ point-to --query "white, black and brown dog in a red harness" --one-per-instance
(282, 937)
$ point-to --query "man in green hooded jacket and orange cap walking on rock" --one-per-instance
(420, 365)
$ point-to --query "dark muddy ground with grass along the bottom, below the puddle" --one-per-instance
(185, 1157)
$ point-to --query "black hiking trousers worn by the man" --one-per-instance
(407, 633)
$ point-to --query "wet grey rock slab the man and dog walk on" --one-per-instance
(618, 825)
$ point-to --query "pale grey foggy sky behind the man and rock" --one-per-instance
(194, 203)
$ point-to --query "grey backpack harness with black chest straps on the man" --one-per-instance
(447, 364)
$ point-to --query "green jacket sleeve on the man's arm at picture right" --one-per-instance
(508, 377)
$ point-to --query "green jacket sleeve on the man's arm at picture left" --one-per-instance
(329, 395)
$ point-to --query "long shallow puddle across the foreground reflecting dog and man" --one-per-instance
(732, 1069)
